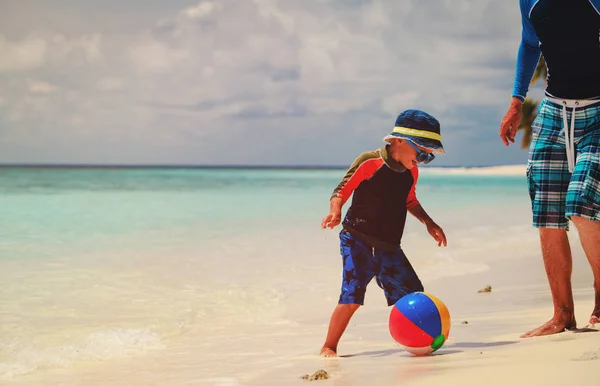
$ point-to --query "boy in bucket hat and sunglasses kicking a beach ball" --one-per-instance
(383, 182)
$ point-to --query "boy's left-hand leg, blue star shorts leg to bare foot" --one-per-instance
(358, 270)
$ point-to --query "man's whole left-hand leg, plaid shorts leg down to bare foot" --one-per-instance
(548, 180)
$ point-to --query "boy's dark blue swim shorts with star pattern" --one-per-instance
(361, 262)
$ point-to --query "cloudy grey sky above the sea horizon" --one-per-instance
(251, 82)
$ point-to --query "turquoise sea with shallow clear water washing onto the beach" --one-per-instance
(99, 264)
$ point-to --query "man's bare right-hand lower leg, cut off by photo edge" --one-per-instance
(589, 234)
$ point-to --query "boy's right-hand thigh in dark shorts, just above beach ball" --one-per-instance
(396, 275)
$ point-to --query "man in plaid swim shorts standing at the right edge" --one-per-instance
(563, 171)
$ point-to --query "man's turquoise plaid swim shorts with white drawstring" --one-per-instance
(556, 193)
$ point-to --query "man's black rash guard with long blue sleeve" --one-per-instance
(567, 33)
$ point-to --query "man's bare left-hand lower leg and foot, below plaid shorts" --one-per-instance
(556, 252)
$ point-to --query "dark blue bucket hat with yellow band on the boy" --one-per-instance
(420, 128)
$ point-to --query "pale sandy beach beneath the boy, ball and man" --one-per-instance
(486, 351)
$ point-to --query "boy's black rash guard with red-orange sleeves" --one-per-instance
(384, 190)
